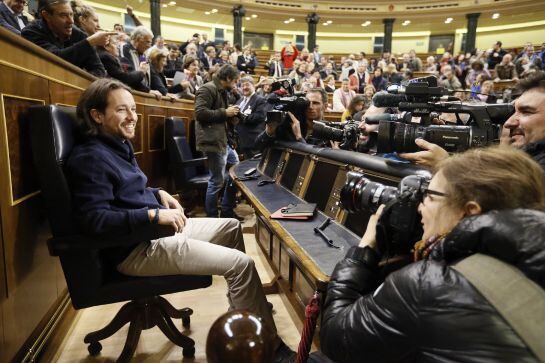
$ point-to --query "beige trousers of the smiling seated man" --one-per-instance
(206, 246)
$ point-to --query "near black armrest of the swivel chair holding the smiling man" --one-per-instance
(60, 245)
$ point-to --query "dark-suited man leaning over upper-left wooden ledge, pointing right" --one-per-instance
(56, 33)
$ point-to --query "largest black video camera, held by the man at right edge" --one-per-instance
(424, 99)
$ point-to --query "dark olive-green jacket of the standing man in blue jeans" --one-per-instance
(210, 104)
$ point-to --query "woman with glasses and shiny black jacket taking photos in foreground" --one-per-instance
(488, 201)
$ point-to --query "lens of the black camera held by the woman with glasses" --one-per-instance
(361, 194)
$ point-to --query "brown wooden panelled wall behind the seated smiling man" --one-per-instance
(32, 284)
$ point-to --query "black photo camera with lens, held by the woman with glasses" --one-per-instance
(399, 226)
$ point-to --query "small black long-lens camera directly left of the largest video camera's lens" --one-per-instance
(347, 133)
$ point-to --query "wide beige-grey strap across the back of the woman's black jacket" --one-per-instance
(519, 300)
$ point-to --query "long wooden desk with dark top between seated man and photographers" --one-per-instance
(301, 260)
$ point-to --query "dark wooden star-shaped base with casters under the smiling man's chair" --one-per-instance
(141, 315)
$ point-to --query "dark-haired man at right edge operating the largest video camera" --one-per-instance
(526, 127)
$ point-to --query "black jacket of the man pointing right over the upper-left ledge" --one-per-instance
(75, 50)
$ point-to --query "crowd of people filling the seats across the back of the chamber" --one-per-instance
(71, 29)
